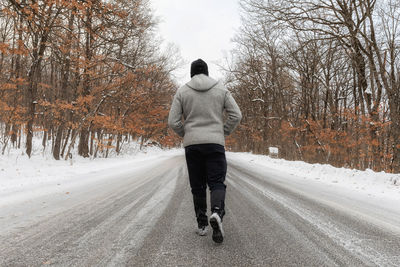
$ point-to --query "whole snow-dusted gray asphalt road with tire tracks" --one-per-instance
(143, 216)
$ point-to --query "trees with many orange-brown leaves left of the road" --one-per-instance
(82, 73)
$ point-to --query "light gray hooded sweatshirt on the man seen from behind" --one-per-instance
(202, 102)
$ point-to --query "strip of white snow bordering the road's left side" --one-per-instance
(19, 173)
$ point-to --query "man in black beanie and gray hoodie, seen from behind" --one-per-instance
(202, 102)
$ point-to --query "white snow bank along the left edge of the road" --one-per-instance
(21, 177)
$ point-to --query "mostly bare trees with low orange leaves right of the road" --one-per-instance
(319, 80)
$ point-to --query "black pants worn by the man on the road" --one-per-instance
(207, 166)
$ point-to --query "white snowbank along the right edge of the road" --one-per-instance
(367, 182)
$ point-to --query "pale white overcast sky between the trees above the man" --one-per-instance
(200, 29)
